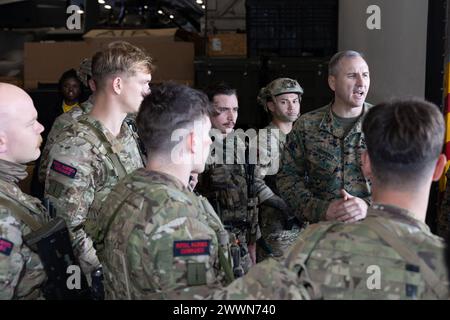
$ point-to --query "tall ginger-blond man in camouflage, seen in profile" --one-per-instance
(94, 153)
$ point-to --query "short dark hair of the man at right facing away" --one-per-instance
(404, 140)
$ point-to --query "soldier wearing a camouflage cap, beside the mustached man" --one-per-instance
(281, 98)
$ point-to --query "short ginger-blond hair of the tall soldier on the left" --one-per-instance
(120, 57)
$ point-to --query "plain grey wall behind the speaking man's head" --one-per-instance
(396, 54)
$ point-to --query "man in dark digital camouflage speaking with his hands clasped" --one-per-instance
(320, 174)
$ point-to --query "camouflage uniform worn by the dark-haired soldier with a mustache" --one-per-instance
(232, 203)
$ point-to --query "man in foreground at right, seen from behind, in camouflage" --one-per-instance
(391, 254)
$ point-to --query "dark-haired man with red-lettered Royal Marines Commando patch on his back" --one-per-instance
(157, 239)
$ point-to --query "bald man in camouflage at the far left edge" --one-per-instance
(21, 271)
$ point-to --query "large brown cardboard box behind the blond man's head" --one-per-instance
(174, 60)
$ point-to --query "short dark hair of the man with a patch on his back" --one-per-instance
(169, 107)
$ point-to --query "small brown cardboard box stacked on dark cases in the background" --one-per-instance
(227, 44)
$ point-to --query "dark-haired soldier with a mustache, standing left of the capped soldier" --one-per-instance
(233, 187)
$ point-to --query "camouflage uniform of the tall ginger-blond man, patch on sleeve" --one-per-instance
(84, 164)
